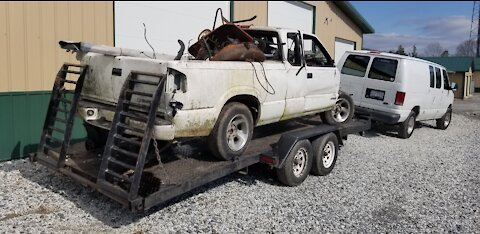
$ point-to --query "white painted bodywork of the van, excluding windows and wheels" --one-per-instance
(412, 77)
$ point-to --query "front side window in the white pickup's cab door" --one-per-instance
(315, 54)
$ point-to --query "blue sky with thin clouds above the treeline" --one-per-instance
(418, 23)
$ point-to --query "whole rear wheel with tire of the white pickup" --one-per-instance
(232, 131)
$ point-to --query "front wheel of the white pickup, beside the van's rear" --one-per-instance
(341, 113)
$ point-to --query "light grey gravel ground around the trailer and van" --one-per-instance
(428, 183)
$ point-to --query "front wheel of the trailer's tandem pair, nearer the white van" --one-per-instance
(325, 151)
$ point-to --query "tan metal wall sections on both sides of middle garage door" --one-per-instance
(330, 22)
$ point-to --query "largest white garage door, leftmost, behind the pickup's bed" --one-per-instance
(166, 23)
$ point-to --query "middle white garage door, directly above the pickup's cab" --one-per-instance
(293, 15)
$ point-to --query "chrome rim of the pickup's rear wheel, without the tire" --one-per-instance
(237, 132)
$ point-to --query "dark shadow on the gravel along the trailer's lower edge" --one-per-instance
(108, 211)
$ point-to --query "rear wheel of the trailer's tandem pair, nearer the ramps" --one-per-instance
(297, 164)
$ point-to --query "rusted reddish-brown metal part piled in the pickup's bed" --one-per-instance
(240, 52)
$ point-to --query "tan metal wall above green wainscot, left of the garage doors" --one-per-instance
(29, 35)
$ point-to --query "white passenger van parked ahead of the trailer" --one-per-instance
(397, 89)
